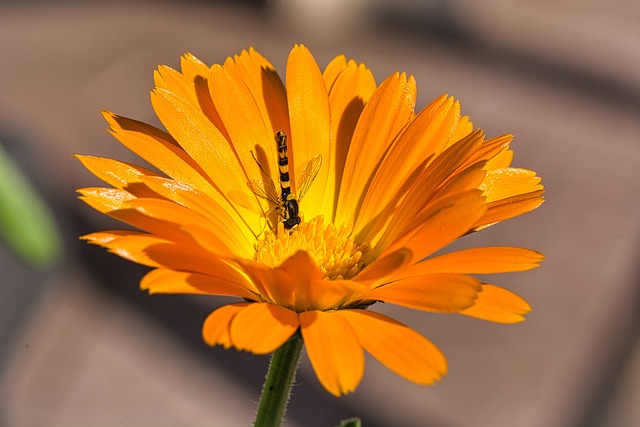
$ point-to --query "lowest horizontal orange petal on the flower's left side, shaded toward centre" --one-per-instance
(166, 281)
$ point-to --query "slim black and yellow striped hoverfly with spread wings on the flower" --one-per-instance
(286, 204)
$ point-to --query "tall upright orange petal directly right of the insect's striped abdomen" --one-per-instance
(310, 123)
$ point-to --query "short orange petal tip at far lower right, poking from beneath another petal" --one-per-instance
(496, 304)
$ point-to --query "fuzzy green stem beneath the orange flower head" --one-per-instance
(277, 386)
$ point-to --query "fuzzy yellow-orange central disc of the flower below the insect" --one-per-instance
(333, 251)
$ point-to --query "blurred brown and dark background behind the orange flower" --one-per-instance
(80, 345)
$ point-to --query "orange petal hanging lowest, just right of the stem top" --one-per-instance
(334, 351)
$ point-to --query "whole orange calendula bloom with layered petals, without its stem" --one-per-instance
(310, 203)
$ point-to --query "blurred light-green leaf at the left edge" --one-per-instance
(26, 224)
